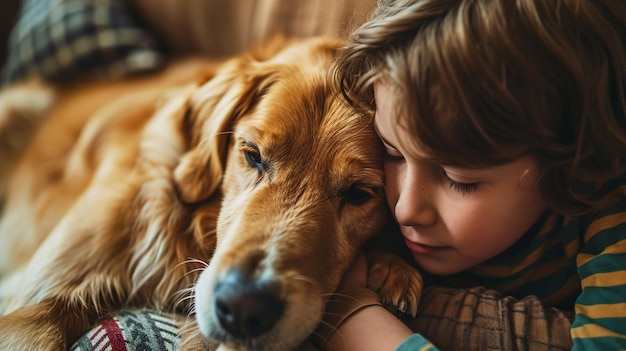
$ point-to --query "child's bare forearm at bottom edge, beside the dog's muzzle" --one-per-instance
(371, 328)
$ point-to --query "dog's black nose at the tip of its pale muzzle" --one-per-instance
(245, 308)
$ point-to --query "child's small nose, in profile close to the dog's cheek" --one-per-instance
(415, 206)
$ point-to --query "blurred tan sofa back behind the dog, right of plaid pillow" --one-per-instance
(225, 27)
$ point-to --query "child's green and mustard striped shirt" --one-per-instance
(575, 264)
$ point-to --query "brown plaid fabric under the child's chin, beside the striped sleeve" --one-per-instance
(483, 319)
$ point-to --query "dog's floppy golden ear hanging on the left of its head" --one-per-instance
(215, 108)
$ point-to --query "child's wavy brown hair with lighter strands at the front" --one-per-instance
(484, 82)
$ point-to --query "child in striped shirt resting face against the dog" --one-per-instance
(505, 128)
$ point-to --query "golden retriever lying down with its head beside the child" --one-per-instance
(251, 177)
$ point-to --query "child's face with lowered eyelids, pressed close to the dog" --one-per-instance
(454, 218)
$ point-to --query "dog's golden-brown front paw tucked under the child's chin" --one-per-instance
(398, 283)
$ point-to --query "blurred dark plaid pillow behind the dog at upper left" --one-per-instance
(63, 39)
